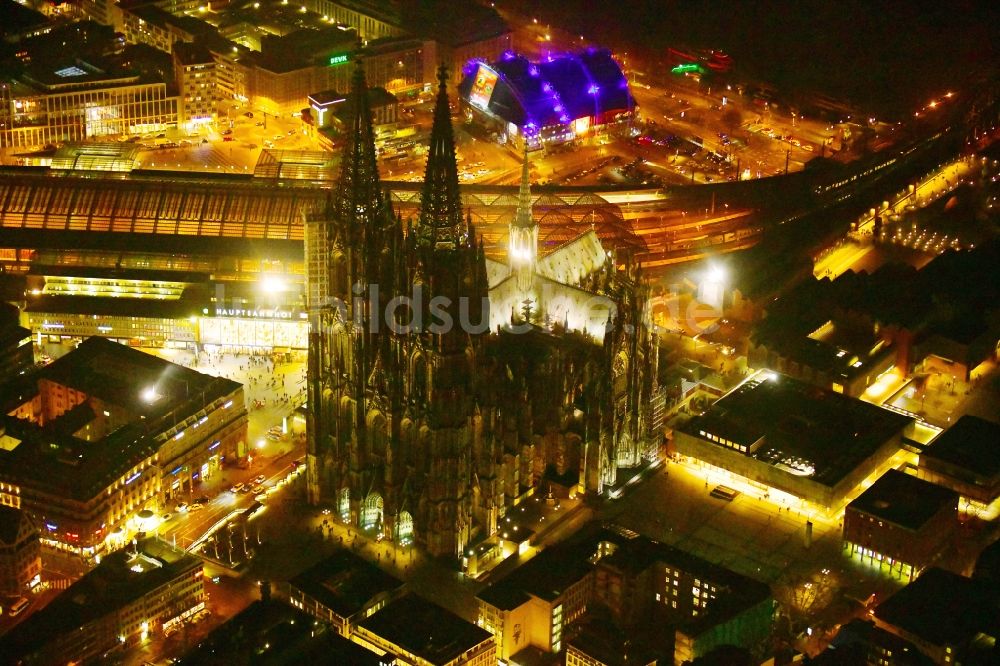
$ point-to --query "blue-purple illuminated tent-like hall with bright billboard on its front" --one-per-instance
(556, 91)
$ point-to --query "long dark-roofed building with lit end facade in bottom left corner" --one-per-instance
(132, 594)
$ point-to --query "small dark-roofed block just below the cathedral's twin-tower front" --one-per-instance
(343, 590)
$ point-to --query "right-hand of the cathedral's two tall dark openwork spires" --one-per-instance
(440, 204)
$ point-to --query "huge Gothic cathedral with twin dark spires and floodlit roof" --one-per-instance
(443, 387)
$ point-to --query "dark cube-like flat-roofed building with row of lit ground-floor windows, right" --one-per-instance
(900, 523)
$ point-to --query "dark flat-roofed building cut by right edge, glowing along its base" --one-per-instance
(966, 458)
